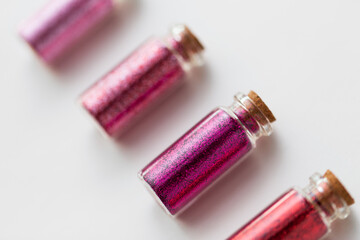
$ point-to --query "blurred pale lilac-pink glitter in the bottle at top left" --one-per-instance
(61, 23)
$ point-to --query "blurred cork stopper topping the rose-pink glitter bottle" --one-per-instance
(189, 42)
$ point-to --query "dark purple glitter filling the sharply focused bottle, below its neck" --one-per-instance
(197, 159)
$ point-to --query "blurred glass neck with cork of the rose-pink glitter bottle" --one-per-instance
(185, 45)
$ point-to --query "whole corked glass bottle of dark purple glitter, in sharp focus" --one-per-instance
(207, 151)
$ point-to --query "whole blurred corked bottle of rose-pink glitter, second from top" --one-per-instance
(143, 79)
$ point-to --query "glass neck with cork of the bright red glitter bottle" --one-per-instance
(328, 196)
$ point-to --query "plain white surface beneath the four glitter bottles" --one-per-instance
(60, 179)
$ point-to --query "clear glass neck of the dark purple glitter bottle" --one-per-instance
(251, 116)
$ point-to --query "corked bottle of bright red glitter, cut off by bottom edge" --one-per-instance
(301, 213)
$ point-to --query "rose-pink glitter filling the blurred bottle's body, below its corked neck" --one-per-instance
(130, 89)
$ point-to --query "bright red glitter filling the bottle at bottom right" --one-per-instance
(291, 217)
